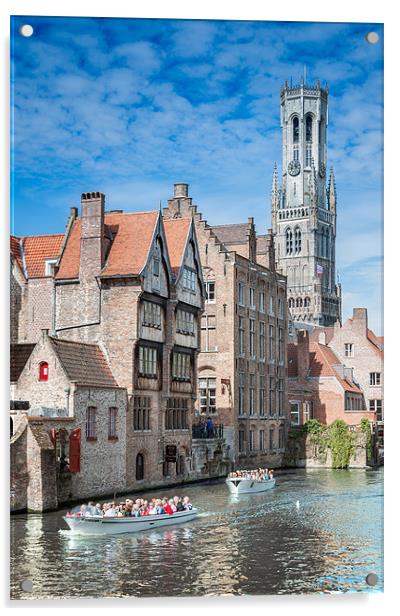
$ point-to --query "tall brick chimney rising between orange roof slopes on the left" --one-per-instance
(92, 233)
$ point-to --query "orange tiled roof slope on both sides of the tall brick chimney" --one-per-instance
(132, 234)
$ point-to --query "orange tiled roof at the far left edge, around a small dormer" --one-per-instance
(36, 249)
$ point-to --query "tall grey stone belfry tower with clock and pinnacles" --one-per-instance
(304, 208)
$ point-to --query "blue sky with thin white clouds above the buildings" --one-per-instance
(130, 106)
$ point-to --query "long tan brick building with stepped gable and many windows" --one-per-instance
(242, 363)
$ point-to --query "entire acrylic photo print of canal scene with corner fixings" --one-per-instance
(196, 322)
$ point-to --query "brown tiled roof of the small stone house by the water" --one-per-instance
(84, 363)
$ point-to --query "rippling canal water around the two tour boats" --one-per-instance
(253, 544)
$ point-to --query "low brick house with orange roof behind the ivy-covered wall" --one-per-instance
(320, 386)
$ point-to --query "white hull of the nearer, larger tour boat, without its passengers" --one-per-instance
(99, 525)
